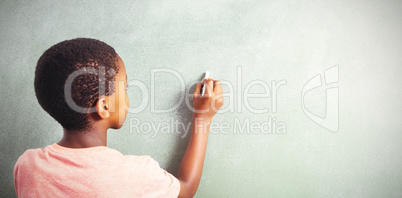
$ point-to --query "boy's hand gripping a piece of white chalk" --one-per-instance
(206, 106)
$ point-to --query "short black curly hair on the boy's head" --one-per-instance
(60, 61)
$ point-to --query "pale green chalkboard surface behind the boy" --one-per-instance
(312, 89)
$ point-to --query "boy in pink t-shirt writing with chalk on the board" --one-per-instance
(81, 84)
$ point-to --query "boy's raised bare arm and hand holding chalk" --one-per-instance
(205, 107)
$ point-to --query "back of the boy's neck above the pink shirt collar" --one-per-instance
(84, 139)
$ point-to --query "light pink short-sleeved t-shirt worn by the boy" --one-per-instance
(56, 171)
